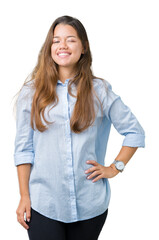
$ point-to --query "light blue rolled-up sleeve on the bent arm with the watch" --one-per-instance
(123, 119)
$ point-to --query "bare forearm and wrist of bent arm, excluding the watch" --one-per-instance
(125, 155)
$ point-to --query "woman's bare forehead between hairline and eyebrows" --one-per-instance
(64, 30)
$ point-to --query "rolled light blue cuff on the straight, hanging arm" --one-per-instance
(23, 158)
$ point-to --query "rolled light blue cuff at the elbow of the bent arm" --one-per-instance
(134, 140)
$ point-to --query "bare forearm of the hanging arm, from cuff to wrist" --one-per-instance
(23, 171)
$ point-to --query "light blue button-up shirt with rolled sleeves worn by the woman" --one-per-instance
(58, 185)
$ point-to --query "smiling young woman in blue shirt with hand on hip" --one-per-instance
(63, 121)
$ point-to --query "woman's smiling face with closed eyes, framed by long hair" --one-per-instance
(66, 48)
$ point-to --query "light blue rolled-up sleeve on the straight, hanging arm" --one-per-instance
(23, 145)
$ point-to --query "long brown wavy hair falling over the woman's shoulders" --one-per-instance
(45, 76)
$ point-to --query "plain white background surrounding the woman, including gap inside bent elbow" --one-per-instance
(124, 43)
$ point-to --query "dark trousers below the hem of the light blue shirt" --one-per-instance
(43, 228)
